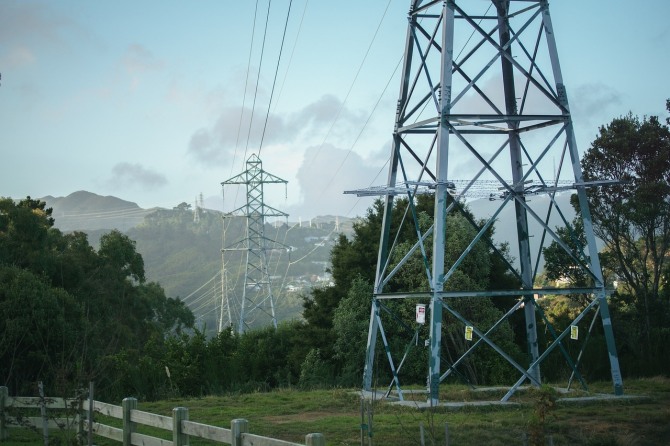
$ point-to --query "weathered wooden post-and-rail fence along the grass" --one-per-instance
(77, 414)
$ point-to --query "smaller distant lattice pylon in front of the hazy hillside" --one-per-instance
(257, 304)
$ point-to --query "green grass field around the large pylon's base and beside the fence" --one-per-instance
(641, 418)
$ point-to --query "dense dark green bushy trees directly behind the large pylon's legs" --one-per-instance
(341, 314)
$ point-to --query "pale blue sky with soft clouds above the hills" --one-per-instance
(151, 101)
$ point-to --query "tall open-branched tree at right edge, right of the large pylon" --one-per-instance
(633, 216)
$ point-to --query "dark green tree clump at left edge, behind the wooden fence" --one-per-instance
(71, 314)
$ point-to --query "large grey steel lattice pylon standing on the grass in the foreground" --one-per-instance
(482, 94)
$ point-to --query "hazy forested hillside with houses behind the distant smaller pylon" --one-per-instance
(184, 253)
